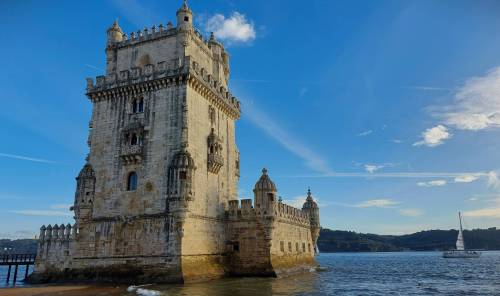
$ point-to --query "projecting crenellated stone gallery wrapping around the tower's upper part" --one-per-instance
(150, 78)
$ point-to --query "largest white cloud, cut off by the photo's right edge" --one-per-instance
(476, 104)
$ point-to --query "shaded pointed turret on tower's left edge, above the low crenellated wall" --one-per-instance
(85, 191)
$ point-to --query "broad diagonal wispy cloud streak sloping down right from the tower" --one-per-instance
(288, 141)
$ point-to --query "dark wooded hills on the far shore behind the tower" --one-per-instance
(349, 241)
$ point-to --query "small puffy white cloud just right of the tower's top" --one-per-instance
(235, 28)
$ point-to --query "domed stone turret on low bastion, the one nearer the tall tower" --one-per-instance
(265, 194)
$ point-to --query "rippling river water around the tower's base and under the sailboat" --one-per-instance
(404, 273)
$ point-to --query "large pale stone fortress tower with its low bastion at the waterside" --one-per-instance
(157, 198)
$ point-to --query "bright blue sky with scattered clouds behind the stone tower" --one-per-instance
(388, 110)
